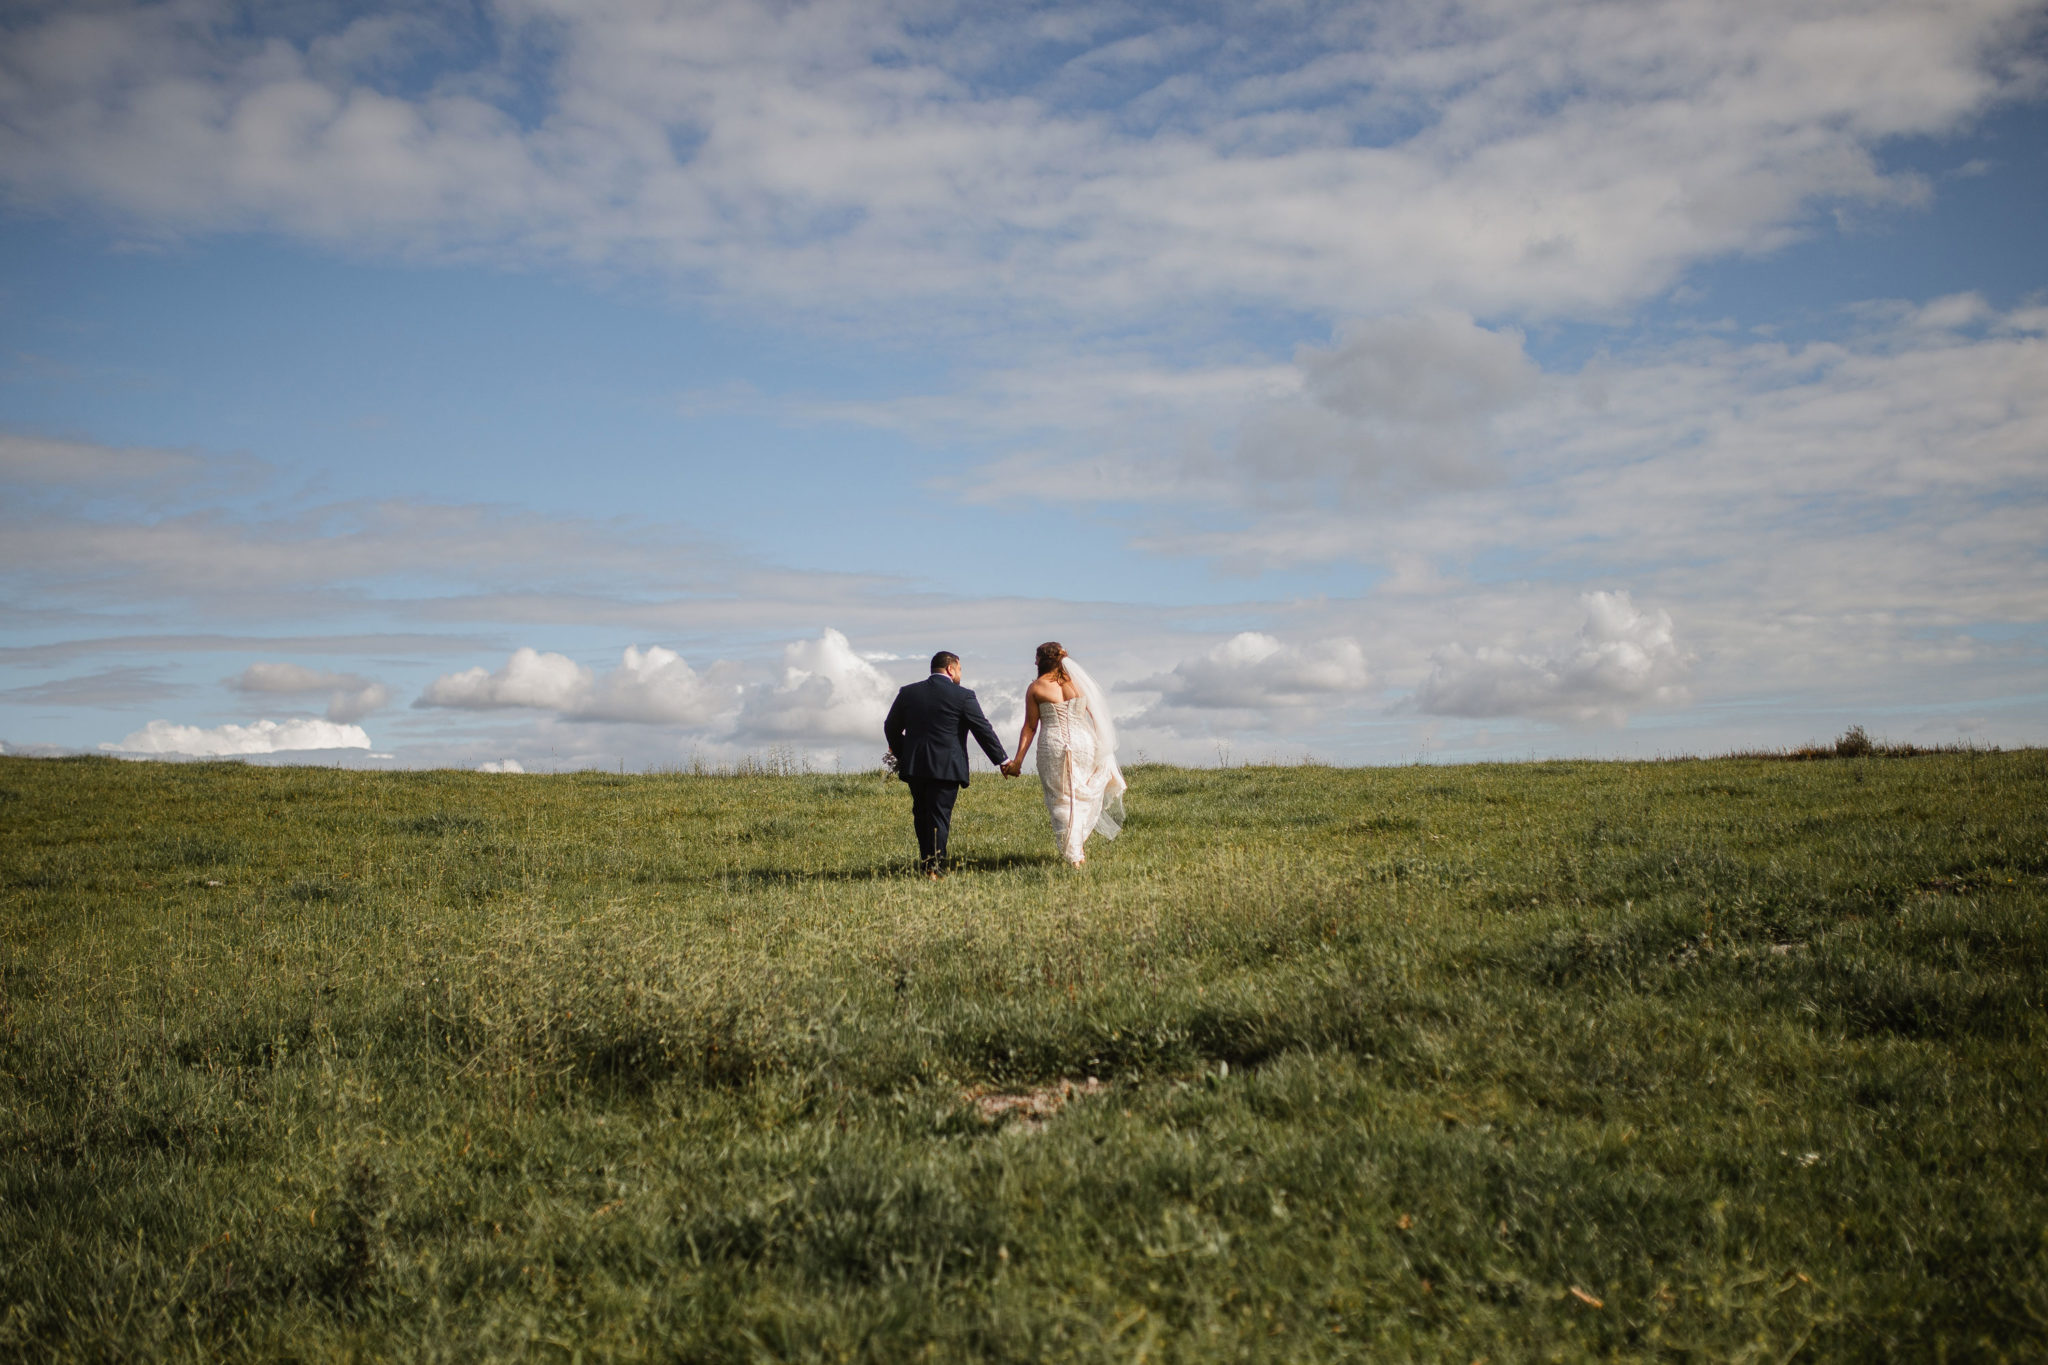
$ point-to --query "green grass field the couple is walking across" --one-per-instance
(1551, 1061)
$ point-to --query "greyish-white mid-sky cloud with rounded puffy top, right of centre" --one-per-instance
(1394, 406)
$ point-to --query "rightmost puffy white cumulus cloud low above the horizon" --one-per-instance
(1623, 660)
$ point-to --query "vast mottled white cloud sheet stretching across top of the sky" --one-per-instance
(1535, 159)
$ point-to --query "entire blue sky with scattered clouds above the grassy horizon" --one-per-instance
(636, 384)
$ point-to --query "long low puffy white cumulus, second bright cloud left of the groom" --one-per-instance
(650, 687)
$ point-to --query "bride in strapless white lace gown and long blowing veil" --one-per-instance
(1084, 791)
